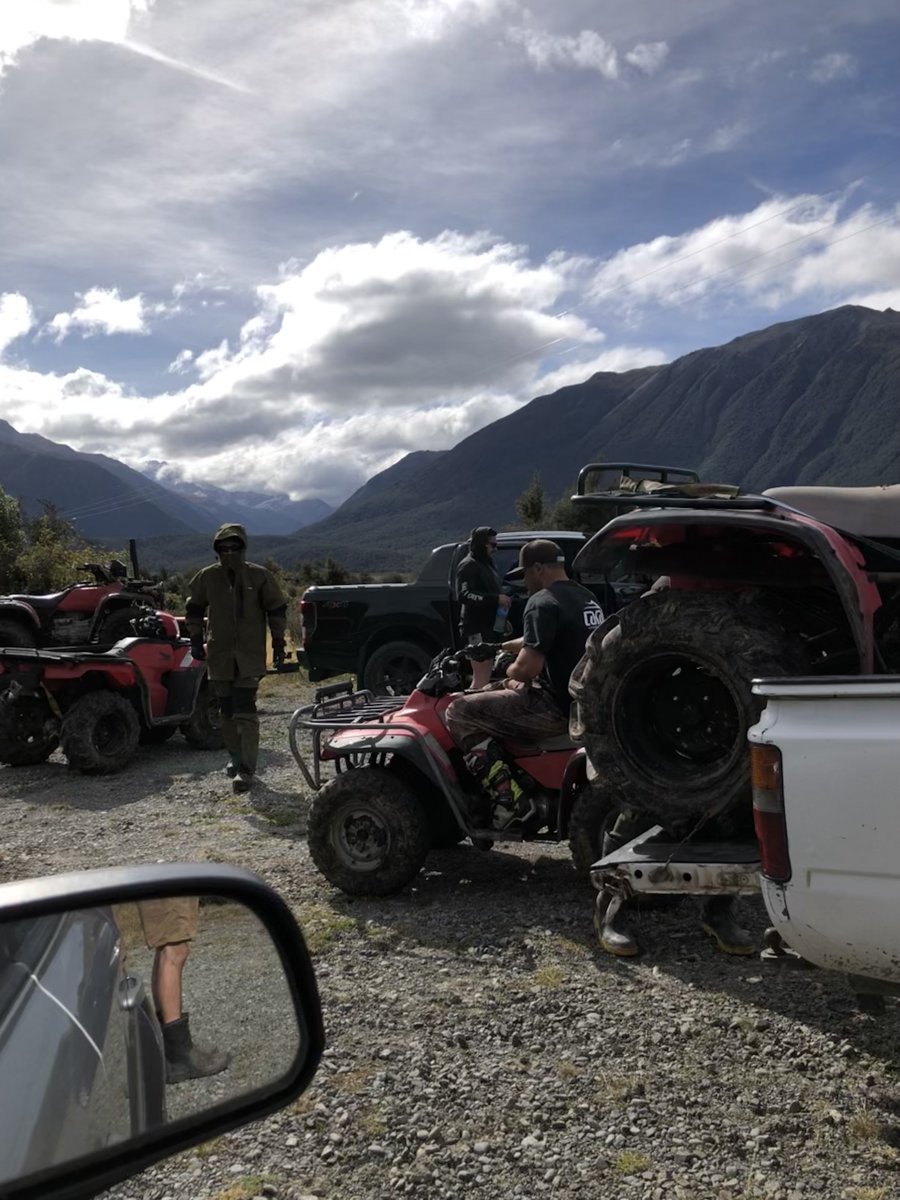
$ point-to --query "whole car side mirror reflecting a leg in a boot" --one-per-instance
(97, 1079)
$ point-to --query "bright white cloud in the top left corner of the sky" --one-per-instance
(76, 21)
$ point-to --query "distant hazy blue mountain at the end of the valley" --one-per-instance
(265, 513)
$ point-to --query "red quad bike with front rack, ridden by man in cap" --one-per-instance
(400, 787)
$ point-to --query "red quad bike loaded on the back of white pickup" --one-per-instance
(797, 581)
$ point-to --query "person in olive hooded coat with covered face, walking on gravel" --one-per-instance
(241, 598)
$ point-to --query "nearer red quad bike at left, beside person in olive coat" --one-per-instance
(100, 705)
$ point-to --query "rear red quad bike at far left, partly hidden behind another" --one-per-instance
(99, 613)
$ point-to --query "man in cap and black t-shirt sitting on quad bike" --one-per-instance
(533, 703)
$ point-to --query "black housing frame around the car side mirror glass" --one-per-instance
(63, 895)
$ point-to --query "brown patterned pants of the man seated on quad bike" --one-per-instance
(520, 715)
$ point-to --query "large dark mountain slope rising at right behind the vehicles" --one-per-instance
(809, 401)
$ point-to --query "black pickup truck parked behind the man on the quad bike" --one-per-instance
(387, 634)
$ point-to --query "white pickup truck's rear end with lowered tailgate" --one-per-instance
(826, 772)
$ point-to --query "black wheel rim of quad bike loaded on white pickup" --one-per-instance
(676, 717)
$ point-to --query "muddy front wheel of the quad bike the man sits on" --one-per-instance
(368, 832)
